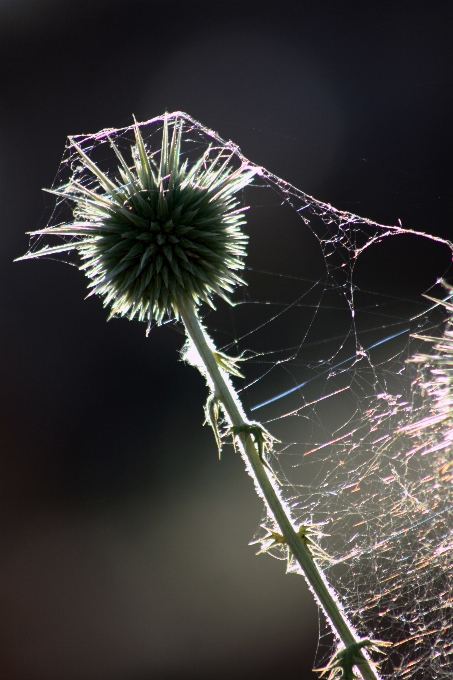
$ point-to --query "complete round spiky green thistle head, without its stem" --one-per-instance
(159, 232)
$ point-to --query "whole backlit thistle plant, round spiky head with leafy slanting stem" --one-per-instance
(156, 241)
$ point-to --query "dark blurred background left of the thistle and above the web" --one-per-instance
(123, 539)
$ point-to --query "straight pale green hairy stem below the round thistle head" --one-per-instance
(225, 392)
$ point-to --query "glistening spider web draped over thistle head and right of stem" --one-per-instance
(327, 357)
